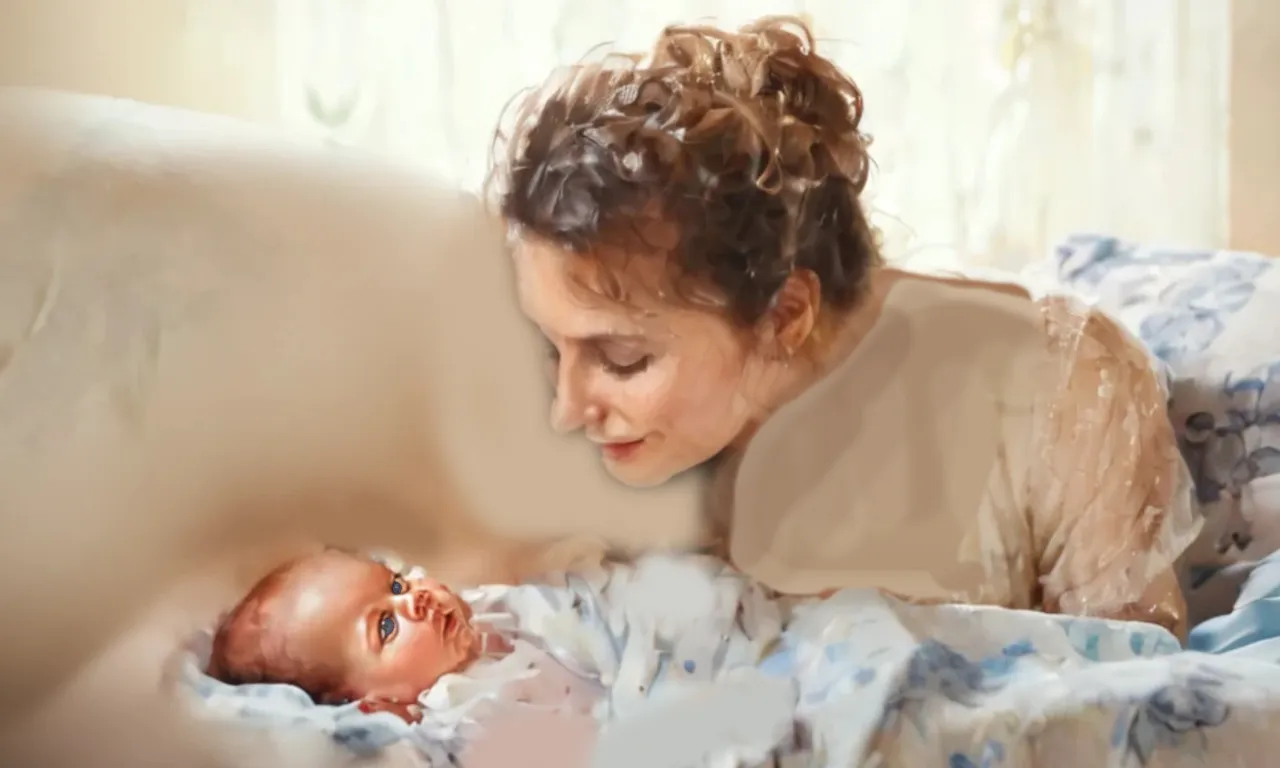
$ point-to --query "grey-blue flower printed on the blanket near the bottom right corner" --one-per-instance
(1172, 715)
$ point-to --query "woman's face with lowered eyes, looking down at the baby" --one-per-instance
(660, 388)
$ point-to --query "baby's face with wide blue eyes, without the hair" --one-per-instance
(391, 637)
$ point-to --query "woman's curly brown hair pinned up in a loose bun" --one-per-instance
(749, 143)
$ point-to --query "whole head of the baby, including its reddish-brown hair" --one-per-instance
(345, 628)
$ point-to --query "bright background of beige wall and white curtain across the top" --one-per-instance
(1048, 117)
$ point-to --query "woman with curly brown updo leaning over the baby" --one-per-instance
(692, 239)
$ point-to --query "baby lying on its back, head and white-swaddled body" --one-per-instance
(346, 628)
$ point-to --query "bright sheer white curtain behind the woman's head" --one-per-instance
(999, 125)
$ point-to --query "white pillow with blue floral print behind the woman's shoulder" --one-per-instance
(1213, 319)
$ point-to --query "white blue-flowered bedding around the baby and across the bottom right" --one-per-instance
(866, 678)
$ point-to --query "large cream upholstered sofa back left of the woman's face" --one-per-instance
(212, 335)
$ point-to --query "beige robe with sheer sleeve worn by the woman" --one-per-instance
(981, 446)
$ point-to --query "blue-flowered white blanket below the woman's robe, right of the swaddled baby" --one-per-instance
(986, 688)
